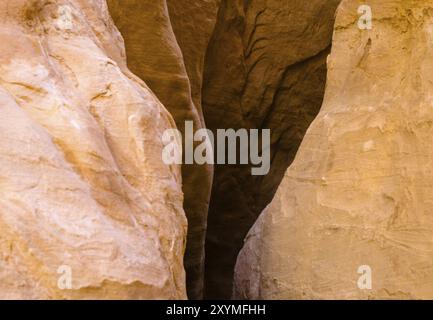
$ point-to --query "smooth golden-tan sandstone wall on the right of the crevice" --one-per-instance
(360, 189)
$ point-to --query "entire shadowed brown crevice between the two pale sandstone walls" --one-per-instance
(230, 64)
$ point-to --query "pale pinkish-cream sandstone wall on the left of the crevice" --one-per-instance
(82, 183)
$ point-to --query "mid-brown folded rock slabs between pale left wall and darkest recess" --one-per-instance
(155, 56)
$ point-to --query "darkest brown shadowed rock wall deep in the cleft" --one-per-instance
(265, 68)
